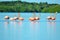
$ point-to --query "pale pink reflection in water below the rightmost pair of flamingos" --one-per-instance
(51, 28)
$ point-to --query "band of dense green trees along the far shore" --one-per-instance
(18, 6)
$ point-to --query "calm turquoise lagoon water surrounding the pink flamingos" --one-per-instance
(27, 30)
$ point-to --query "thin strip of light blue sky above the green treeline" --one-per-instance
(49, 1)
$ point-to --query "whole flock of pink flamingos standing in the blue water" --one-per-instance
(33, 18)
